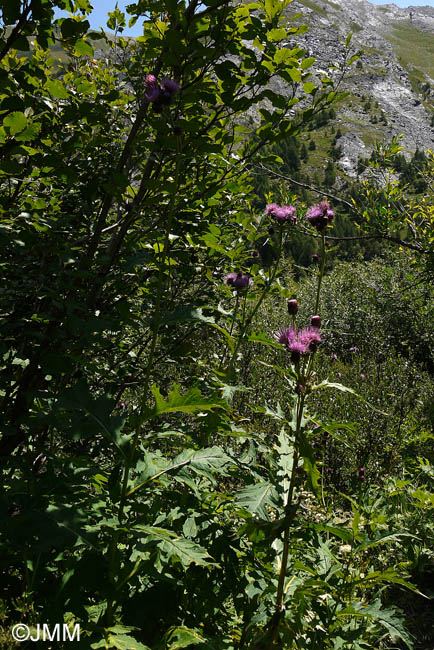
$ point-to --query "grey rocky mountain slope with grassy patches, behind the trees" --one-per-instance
(392, 87)
